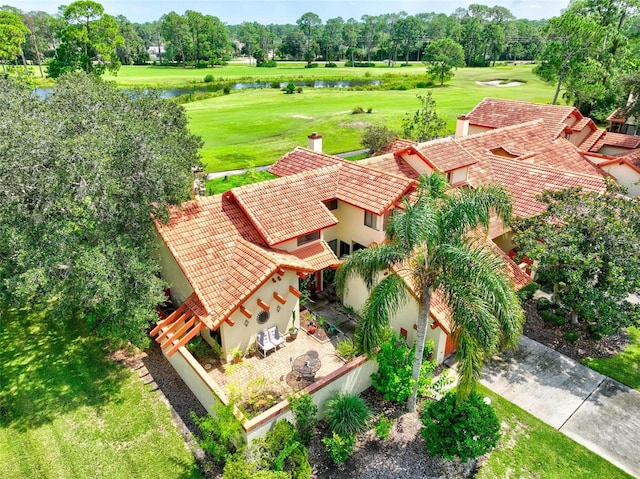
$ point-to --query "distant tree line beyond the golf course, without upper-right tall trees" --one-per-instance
(486, 34)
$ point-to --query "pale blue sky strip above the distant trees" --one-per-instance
(234, 12)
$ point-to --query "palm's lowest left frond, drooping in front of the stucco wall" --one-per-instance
(385, 300)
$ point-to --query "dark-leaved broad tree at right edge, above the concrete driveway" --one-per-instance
(587, 248)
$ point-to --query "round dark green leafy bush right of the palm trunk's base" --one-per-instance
(465, 431)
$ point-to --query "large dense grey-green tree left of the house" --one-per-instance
(84, 173)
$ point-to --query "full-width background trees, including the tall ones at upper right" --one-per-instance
(589, 52)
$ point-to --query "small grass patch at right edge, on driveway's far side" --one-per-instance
(623, 367)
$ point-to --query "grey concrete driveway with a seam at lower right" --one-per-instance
(594, 410)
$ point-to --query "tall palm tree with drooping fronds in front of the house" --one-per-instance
(432, 244)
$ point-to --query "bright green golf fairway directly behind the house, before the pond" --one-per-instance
(256, 127)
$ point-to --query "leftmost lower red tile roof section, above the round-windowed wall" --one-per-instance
(222, 255)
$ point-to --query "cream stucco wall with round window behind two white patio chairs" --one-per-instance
(241, 335)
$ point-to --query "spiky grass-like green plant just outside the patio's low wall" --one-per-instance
(347, 413)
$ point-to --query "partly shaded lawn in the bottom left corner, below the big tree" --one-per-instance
(66, 410)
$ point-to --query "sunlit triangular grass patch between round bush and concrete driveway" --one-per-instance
(532, 449)
